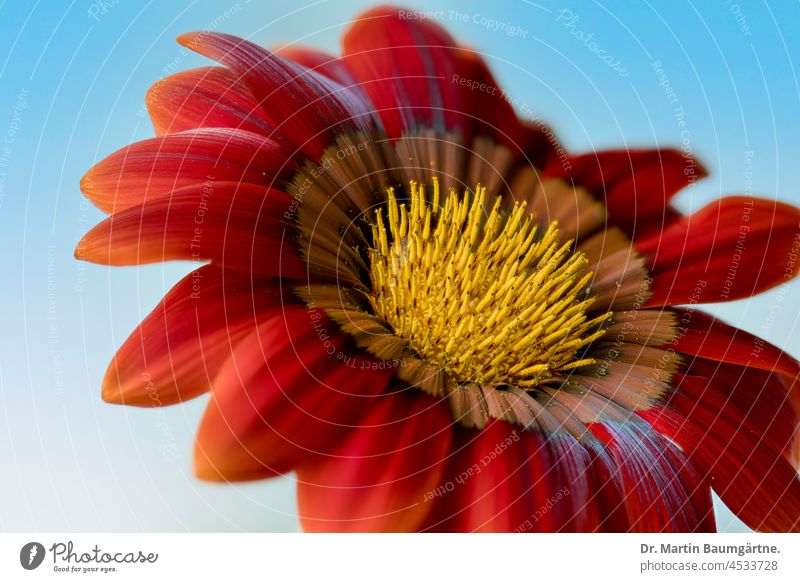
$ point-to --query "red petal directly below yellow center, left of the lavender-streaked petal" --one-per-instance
(504, 480)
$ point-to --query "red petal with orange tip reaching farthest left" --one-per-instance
(238, 226)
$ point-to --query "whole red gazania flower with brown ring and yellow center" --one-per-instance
(435, 315)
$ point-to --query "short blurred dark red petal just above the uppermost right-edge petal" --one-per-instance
(636, 185)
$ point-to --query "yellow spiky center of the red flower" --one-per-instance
(479, 291)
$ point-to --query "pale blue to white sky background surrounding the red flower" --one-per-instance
(73, 78)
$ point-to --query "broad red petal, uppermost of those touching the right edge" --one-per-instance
(733, 248)
